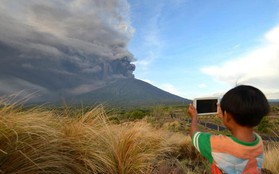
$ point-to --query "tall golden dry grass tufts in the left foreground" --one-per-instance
(38, 141)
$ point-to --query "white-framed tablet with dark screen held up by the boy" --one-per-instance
(206, 106)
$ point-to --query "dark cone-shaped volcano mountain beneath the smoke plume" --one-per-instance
(129, 92)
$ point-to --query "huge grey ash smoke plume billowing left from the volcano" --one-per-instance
(65, 46)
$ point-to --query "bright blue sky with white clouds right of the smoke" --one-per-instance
(196, 48)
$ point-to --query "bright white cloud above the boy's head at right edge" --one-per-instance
(259, 67)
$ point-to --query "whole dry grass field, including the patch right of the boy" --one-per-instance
(39, 140)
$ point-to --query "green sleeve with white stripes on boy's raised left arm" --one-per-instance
(201, 142)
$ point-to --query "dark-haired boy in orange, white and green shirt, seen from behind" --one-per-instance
(240, 109)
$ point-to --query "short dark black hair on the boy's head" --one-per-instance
(247, 105)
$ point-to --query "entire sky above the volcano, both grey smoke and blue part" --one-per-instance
(190, 48)
